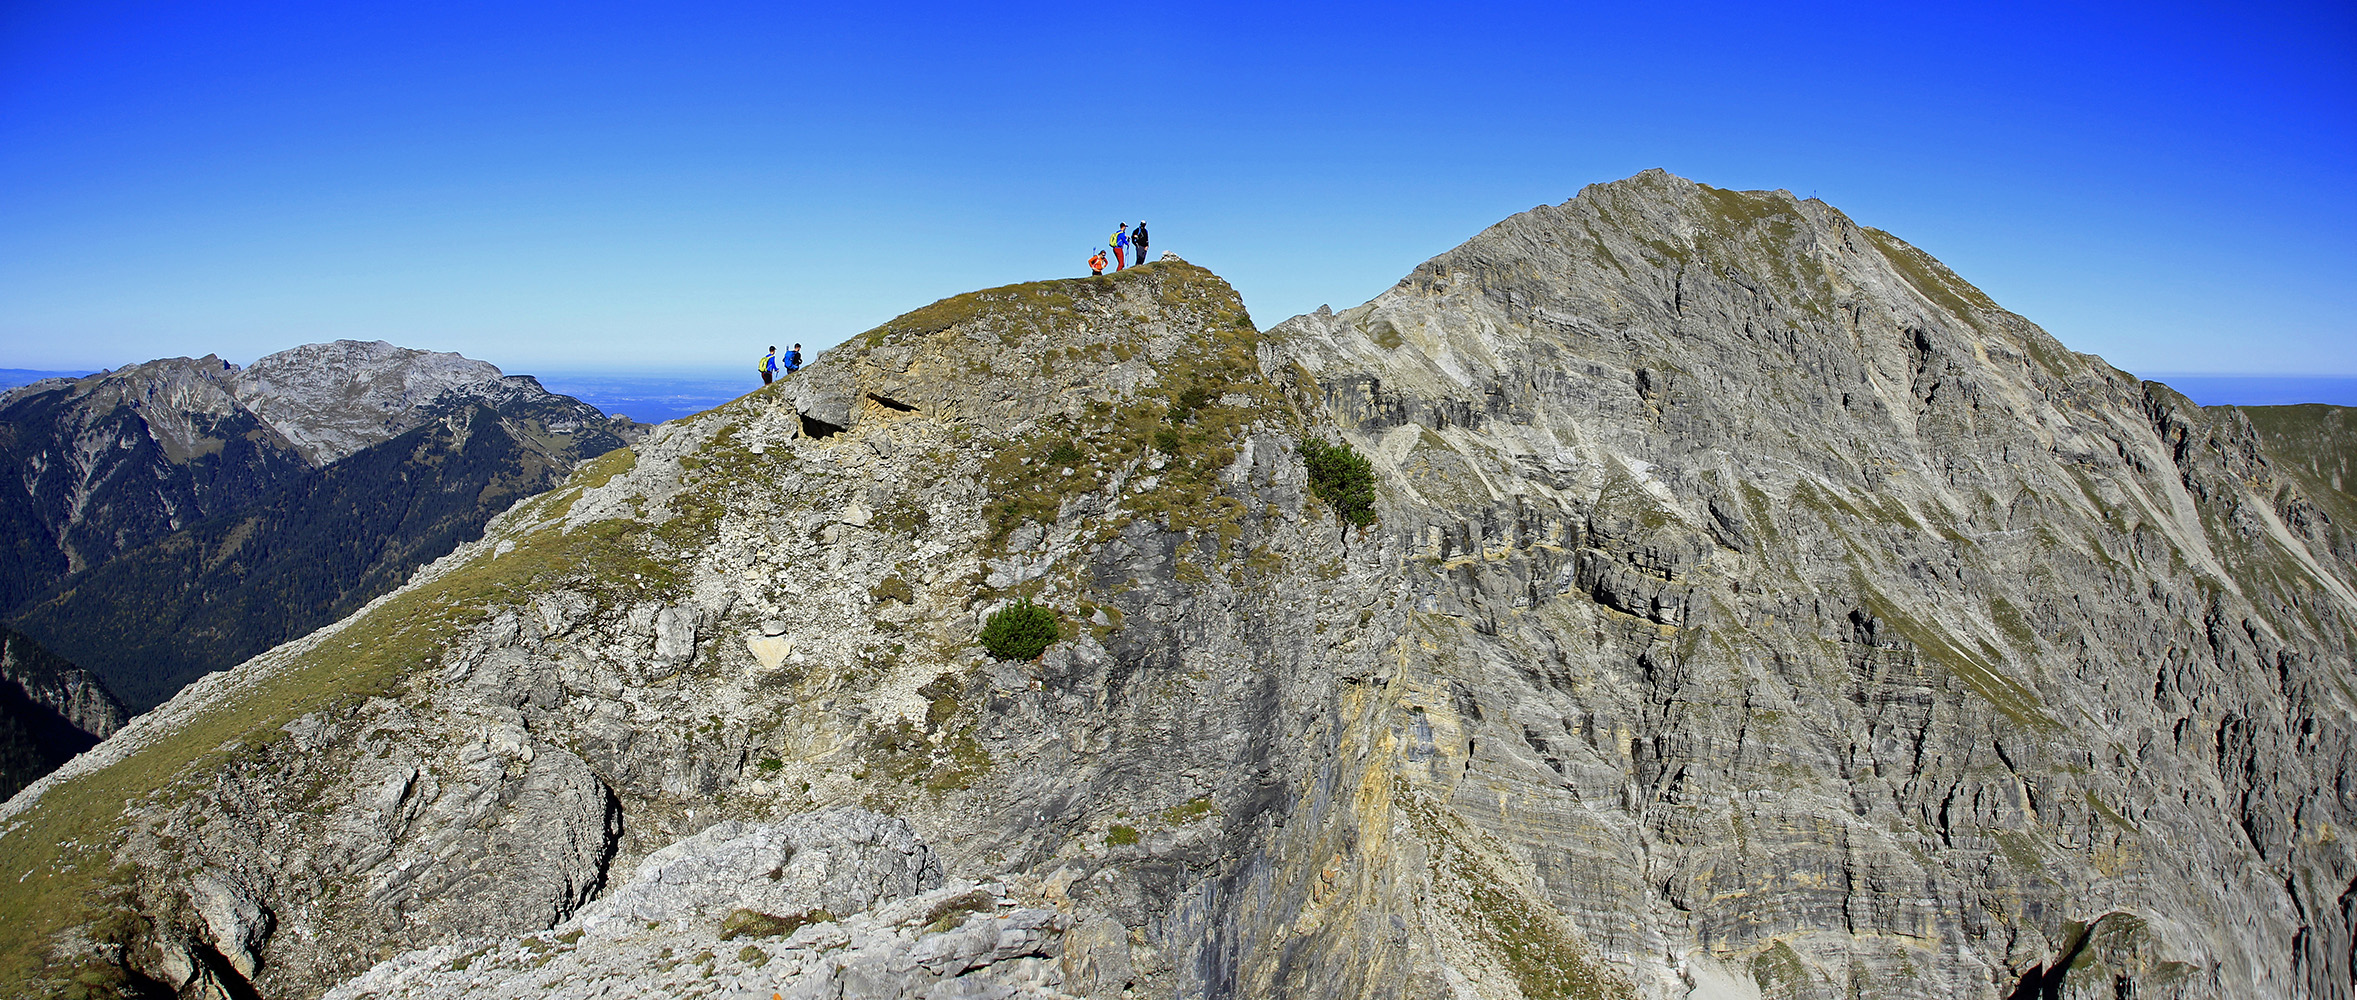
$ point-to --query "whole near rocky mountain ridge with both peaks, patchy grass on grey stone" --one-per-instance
(1752, 610)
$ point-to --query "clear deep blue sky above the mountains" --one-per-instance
(682, 185)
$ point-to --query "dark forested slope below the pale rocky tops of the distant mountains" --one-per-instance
(298, 558)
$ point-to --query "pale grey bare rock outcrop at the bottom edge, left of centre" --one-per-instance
(859, 914)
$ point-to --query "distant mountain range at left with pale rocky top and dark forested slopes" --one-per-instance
(176, 518)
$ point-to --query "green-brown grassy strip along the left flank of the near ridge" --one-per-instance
(72, 914)
